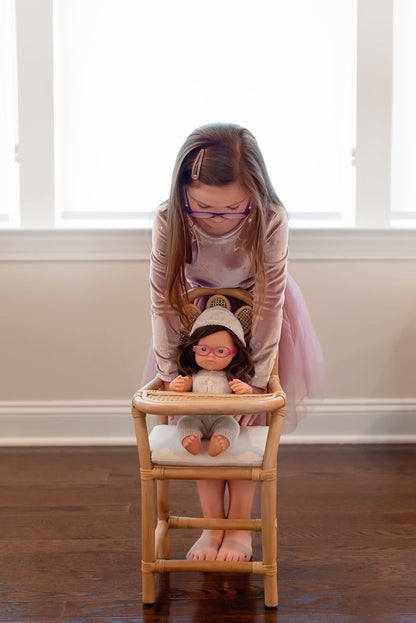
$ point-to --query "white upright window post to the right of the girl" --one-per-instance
(374, 112)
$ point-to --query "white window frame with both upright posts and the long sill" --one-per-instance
(372, 157)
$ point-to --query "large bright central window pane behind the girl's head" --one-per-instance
(133, 79)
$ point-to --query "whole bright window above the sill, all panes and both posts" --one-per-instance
(327, 89)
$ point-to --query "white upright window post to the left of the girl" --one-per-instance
(35, 98)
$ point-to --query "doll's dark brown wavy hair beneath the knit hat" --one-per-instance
(241, 366)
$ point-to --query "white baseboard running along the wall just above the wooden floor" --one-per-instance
(109, 422)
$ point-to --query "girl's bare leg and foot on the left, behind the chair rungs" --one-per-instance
(211, 495)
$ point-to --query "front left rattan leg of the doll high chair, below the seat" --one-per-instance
(148, 540)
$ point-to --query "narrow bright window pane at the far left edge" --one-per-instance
(9, 169)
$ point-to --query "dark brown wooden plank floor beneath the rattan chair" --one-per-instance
(69, 540)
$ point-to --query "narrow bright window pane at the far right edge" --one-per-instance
(404, 116)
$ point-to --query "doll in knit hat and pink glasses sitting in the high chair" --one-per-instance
(214, 358)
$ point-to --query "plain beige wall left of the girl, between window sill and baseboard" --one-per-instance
(74, 330)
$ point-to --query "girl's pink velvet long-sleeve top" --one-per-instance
(221, 261)
